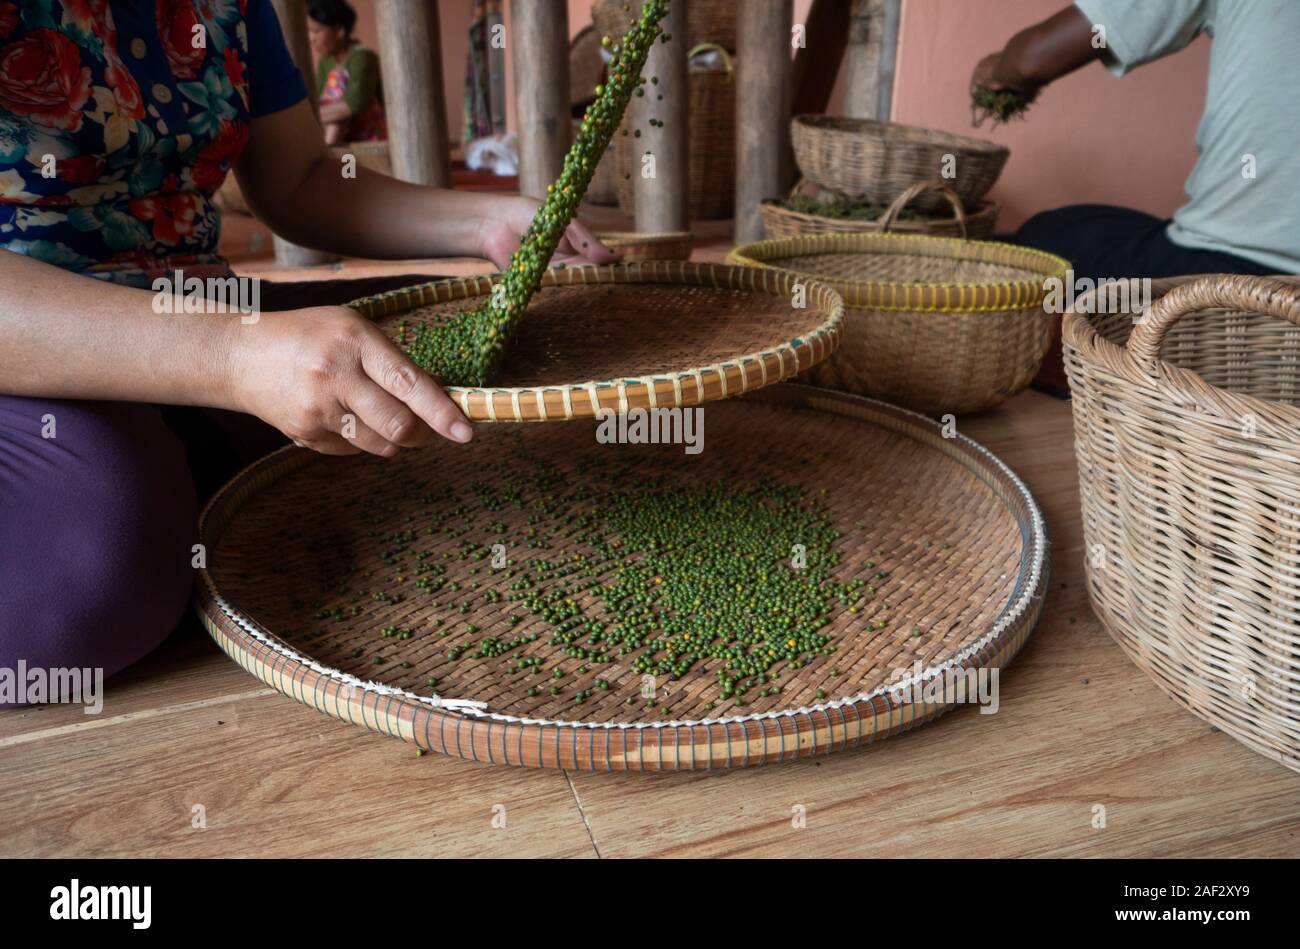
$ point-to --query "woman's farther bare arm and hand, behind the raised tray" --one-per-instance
(297, 187)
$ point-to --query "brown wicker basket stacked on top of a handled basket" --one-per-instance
(863, 158)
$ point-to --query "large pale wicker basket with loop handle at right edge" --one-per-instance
(1188, 431)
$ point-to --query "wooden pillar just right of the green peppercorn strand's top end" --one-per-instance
(662, 200)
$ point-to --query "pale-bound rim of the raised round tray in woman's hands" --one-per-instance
(480, 402)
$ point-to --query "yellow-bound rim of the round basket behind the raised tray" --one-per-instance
(883, 294)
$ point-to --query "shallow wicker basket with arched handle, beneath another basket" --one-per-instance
(782, 222)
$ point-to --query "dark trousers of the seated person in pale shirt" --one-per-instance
(1104, 242)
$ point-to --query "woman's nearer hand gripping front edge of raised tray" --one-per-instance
(332, 382)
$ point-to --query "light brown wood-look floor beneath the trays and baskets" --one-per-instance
(194, 757)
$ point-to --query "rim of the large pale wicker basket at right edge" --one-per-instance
(1080, 333)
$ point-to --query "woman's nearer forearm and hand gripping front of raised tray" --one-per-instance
(71, 337)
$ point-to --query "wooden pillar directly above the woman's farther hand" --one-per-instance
(539, 42)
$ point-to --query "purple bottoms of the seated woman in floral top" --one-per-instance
(98, 522)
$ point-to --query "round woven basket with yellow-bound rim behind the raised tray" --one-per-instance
(935, 324)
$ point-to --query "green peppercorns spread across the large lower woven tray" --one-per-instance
(740, 580)
